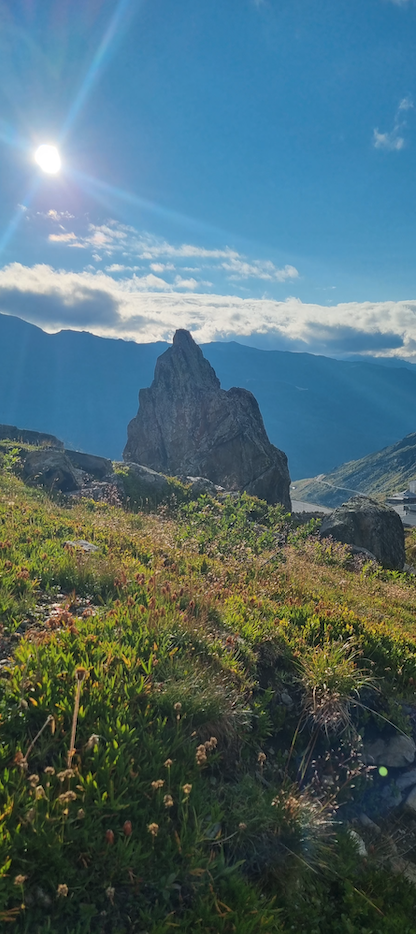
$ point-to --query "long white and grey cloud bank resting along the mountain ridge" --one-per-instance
(146, 308)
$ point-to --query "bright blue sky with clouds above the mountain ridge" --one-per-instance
(241, 168)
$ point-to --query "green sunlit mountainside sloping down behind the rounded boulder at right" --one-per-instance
(385, 472)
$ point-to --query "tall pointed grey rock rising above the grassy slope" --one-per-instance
(188, 425)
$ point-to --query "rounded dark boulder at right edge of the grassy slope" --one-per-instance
(364, 523)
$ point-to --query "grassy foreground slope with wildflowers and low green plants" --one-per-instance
(187, 624)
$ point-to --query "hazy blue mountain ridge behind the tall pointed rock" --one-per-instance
(84, 389)
